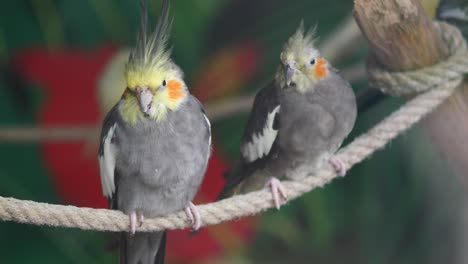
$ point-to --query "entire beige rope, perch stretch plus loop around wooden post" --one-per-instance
(437, 82)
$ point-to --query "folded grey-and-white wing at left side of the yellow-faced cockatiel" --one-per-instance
(107, 153)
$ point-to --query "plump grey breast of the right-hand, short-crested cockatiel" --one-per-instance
(318, 121)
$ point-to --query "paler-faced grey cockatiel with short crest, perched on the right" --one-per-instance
(297, 123)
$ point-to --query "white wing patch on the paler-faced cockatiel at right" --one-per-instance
(262, 142)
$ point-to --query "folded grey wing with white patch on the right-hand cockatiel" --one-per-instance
(262, 127)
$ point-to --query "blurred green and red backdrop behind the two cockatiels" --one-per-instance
(403, 205)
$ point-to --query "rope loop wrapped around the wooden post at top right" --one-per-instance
(417, 81)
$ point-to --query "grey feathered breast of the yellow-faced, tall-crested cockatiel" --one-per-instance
(160, 165)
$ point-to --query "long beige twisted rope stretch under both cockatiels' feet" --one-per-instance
(252, 203)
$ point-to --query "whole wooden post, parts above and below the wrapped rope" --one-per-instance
(402, 38)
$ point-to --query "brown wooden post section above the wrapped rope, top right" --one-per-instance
(401, 35)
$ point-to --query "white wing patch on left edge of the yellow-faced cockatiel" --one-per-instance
(107, 163)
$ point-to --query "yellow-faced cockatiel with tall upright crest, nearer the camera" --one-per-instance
(155, 143)
